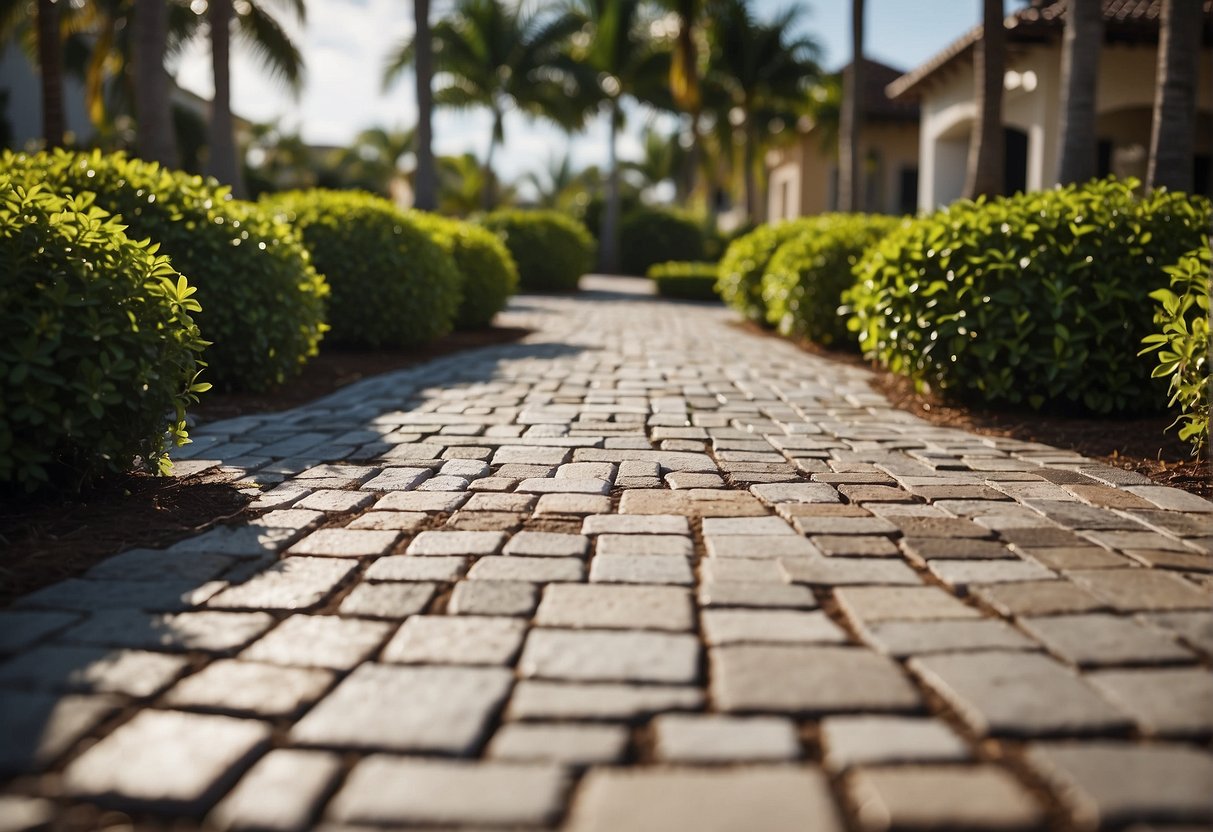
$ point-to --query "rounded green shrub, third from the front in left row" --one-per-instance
(392, 286)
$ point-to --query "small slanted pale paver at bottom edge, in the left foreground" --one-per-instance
(281, 793)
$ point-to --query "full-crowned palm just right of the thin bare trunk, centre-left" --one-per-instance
(500, 56)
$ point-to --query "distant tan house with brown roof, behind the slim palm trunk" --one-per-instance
(804, 175)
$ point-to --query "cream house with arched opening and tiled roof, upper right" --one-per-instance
(944, 89)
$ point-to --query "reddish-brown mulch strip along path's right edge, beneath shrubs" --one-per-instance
(1141, 445)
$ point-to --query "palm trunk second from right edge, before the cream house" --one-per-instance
(1080, 71)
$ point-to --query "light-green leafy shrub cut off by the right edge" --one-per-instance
(1182, 340)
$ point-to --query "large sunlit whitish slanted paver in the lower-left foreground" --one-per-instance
(440, 710)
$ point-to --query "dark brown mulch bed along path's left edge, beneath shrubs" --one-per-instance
(50, 538)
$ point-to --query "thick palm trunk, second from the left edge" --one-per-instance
(153, 133)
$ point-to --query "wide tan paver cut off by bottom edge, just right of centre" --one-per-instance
(643, 800)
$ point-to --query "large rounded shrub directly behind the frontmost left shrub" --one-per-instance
(263, 301)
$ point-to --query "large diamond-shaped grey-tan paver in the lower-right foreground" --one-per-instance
(1018, 694)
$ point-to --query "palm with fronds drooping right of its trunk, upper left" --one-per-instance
(271, 44)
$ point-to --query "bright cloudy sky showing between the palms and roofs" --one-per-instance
(345, 44)
